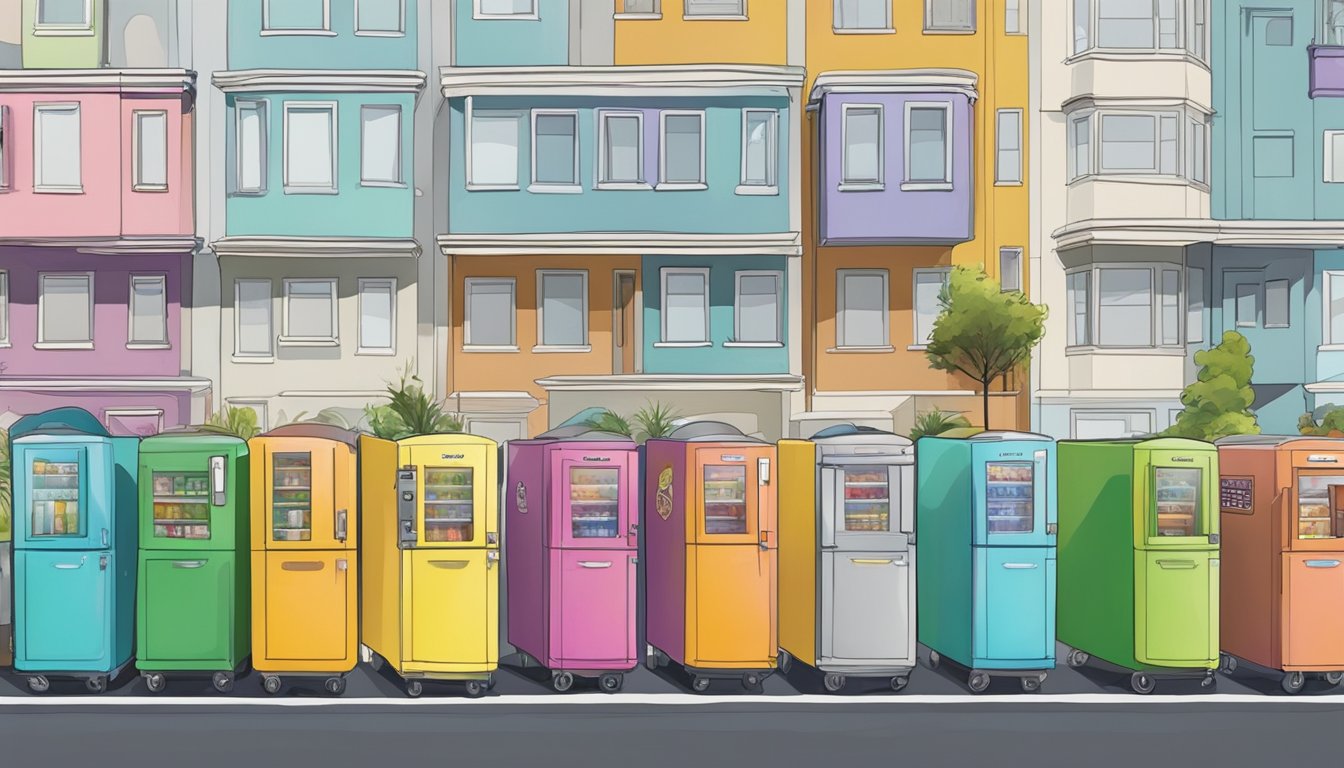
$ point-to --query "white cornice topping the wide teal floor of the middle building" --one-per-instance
(673, 80)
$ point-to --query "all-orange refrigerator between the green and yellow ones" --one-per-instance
(304, 560)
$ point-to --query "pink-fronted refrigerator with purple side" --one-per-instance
(572, 521)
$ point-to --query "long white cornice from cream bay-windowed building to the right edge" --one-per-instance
(1189, 232)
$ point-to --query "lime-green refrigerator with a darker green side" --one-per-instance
(1139, 558)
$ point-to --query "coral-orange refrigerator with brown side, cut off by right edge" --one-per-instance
(1283, 549)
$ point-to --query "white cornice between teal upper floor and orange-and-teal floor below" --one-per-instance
(623, 244)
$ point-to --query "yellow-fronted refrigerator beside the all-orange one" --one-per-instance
(431, 559)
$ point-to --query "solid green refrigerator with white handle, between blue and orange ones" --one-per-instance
(193, 605)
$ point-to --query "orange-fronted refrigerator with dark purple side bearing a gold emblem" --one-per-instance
(712, 555)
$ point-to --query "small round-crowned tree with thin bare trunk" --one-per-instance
(983, 332)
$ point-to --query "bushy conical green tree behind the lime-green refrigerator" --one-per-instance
(1218, 401)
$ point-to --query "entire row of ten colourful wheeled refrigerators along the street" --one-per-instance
(187, 553)
